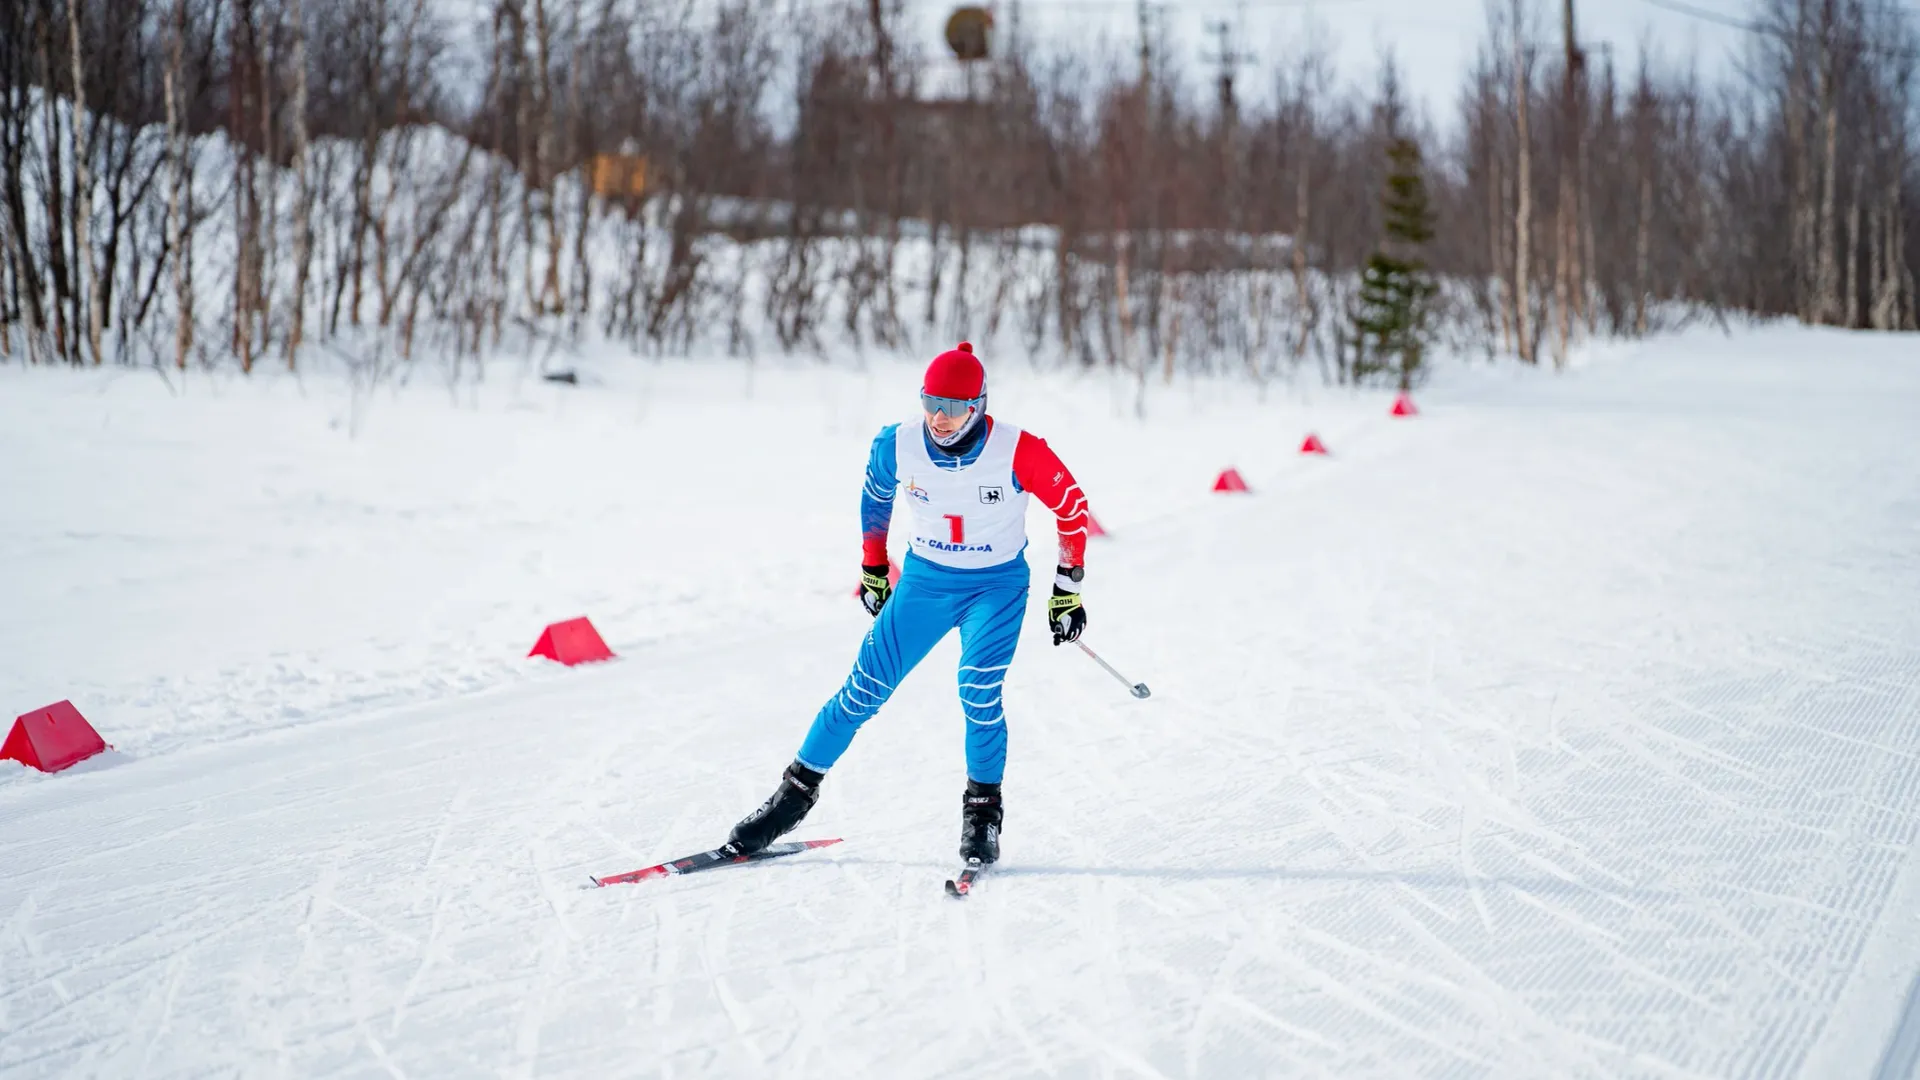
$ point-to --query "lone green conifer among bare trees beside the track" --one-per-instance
(1397, 291)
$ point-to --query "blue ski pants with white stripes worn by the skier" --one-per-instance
(986, 606)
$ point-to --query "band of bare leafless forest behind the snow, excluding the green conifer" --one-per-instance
(245, 182)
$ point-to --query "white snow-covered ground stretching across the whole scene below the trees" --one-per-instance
(1570, 729)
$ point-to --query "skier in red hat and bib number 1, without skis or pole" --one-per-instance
(967, 481)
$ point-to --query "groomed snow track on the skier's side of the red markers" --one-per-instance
(1572, 729)
